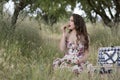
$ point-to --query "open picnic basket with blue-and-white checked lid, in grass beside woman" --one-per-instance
(107, 57)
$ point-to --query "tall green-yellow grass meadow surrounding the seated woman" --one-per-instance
(28, 53)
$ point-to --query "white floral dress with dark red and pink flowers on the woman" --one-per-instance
(71, 58)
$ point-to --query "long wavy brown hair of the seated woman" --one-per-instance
(81, 30)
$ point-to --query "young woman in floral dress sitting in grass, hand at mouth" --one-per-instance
(75, 43)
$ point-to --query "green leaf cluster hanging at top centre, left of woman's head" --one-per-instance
(53, 10)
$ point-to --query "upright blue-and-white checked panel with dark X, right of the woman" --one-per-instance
(109, 55)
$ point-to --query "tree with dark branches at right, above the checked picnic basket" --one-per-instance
(103, 8)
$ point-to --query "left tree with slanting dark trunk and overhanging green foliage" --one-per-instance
(52, 10)
